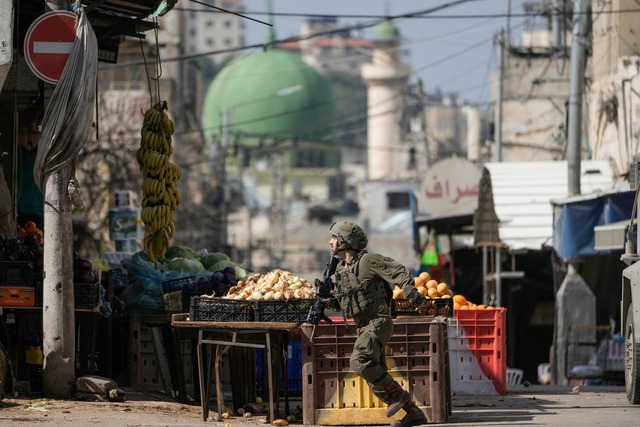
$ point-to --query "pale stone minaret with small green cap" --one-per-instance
(386, 80)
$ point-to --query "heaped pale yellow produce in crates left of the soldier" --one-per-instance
(275, 285)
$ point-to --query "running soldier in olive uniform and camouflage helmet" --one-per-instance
(363, 291)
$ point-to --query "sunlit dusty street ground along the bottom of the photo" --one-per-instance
(542, 406)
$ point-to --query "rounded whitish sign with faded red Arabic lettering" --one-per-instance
(450, 187)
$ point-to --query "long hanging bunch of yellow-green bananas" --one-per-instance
(160, 194)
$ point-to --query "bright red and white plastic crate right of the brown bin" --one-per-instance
(477, 348)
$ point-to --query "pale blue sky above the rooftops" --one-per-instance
(452, 50)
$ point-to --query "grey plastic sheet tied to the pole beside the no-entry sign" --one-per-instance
(68, 117)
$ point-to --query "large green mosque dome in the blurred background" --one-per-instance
(269, 94)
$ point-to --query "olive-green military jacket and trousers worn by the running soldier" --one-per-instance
(364, 293)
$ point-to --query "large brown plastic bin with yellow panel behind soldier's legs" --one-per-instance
(417, 358)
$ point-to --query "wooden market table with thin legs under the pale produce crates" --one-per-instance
(224, 335)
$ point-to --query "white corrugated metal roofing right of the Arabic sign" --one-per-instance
(522, 194)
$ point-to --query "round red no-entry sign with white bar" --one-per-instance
(48, 43)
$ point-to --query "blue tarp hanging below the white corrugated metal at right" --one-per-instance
(574, 219)
